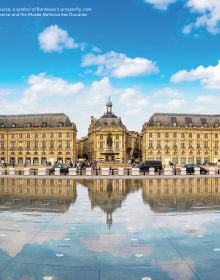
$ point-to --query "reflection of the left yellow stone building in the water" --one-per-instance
(37, 194)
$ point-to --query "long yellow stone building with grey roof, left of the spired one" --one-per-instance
(37, 139)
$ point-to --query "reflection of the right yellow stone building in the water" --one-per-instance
(182, 194)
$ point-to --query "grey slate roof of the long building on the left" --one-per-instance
(35, 120)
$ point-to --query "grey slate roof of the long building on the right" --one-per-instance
(184, 120)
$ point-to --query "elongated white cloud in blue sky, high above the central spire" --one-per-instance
(119, 65)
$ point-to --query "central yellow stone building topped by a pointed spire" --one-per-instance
(108, 139)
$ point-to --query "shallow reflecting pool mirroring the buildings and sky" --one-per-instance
(61, 229)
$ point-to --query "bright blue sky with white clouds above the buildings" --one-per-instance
(149, 55)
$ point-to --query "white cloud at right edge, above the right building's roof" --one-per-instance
(208, 76)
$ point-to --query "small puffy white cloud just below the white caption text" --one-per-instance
(55, 39)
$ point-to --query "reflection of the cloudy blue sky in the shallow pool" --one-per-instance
(172, 243)
